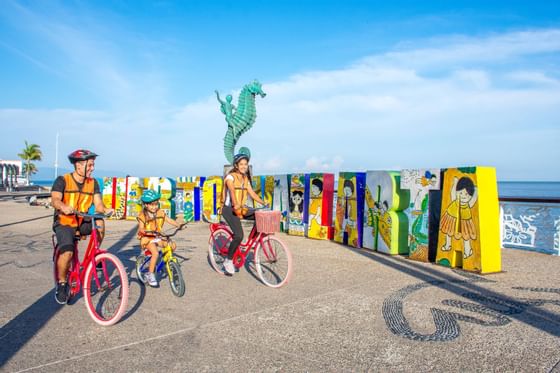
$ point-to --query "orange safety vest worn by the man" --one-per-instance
(79, 199)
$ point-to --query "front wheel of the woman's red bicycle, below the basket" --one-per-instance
(273, 261)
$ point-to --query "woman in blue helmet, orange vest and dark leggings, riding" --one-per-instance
(238, 186)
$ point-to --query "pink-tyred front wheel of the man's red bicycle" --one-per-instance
(106, 299)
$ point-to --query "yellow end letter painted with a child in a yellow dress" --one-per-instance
(469, 234)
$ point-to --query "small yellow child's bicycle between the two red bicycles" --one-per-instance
(166, 260)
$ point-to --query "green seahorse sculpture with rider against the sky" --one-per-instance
(241, 118)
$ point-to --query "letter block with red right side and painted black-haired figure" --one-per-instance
(319, 219)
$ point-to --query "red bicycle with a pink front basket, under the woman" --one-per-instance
(272, 258)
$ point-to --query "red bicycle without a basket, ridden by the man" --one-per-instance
(104, 281)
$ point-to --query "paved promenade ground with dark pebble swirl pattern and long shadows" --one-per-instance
(344, 310)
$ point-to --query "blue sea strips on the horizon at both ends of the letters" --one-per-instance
(541, 189)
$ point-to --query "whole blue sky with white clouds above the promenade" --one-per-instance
(352, 85)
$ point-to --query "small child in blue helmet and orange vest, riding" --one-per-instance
(152, 219)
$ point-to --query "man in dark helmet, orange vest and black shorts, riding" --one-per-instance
(71, 193)
